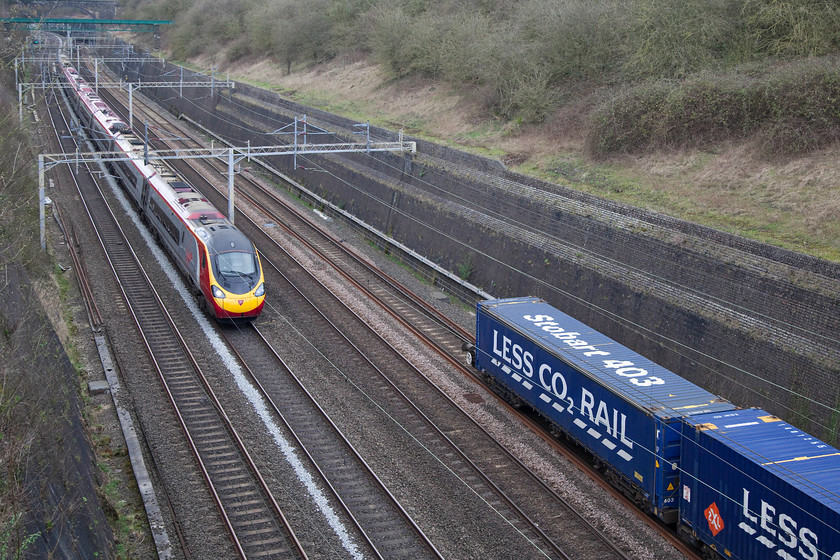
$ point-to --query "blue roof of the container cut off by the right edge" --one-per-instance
(798, 458)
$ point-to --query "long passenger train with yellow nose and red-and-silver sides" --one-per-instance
(220, 263)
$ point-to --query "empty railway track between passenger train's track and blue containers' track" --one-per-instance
(387, 378)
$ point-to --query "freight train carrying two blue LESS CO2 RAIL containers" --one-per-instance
(736, 483)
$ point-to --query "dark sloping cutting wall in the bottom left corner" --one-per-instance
(62, 513)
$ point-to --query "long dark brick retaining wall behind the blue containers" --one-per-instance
(658, 285)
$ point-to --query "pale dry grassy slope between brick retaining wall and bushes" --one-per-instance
(792, 203)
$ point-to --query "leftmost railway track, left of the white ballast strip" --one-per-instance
(246, 506)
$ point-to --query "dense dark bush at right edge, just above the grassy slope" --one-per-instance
(792, 111)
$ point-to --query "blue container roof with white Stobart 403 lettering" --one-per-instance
(673, 398)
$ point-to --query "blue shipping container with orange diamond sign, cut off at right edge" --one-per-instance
(756, 487)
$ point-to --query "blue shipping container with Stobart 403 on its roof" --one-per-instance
(621, 406)
